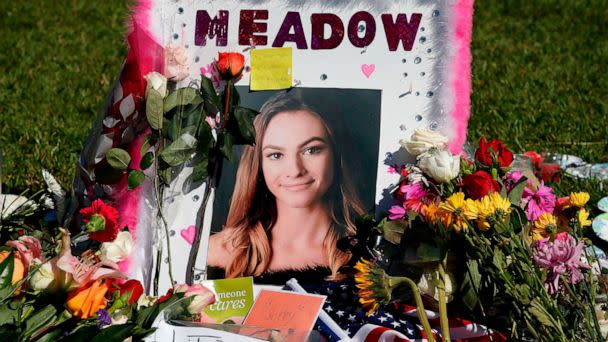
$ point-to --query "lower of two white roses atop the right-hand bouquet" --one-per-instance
(441, 165)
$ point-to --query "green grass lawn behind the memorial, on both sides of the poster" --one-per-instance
(539, 79)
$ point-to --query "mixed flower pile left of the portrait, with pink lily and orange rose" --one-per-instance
(55, 288)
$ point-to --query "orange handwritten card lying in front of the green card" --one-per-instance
(284, 310)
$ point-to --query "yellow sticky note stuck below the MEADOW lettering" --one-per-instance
(271, 69)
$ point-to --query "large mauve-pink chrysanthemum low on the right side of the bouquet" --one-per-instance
(561, 257)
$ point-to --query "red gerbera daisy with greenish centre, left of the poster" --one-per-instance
(101, 221)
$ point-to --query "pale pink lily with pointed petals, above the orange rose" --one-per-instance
(74, 272)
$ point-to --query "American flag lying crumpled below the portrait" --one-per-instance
(400, 324)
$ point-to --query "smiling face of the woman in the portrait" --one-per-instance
(297, 160)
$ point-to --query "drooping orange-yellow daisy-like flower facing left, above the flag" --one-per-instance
(373, 284)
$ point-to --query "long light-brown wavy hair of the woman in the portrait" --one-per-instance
(253, 209)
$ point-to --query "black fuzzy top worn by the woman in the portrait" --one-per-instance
(313, 275)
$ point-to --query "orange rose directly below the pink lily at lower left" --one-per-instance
(86, 301)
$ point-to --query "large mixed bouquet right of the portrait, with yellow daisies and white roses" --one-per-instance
(514, 252)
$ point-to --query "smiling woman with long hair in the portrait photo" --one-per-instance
(293, 198)
